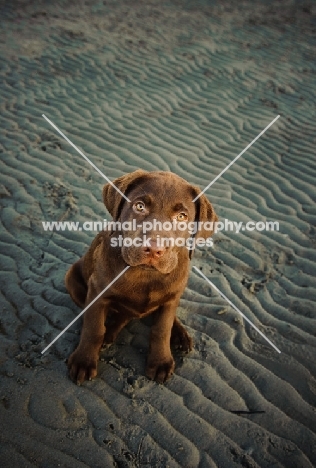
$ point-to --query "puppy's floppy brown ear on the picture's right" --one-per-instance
(205, 213)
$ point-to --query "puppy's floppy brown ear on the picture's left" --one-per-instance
(112, 198)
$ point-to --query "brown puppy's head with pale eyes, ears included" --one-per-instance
(160, 221)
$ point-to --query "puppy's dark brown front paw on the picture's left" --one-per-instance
(82, 366)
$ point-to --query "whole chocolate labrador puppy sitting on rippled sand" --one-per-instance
(151, 235)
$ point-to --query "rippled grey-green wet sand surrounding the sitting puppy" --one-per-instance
(170, 85)
